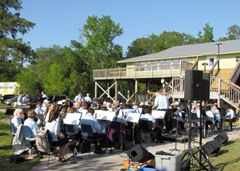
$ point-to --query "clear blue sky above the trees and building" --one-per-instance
(59, 21)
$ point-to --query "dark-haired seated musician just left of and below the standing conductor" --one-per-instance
(146, 115)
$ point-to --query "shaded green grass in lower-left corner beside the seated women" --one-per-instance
(6, 150)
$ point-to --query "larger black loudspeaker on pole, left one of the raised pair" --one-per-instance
(193, 85)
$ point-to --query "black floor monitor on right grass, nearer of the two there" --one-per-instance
(211, 147)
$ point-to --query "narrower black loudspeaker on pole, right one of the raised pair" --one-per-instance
(206, 87)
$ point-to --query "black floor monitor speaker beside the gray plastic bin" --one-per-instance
(140, 154)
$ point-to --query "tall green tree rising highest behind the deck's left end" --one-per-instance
(99, 34)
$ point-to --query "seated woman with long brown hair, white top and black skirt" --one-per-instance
(54, 128)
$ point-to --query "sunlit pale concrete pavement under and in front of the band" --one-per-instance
(114, 161)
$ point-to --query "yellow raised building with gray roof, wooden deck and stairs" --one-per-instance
(166, 71)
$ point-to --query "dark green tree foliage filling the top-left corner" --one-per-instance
(12, 48)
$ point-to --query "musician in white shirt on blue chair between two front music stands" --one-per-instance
(89, 119)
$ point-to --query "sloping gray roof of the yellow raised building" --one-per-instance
(230, 46)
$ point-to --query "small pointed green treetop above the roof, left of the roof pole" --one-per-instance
(207, 35)
